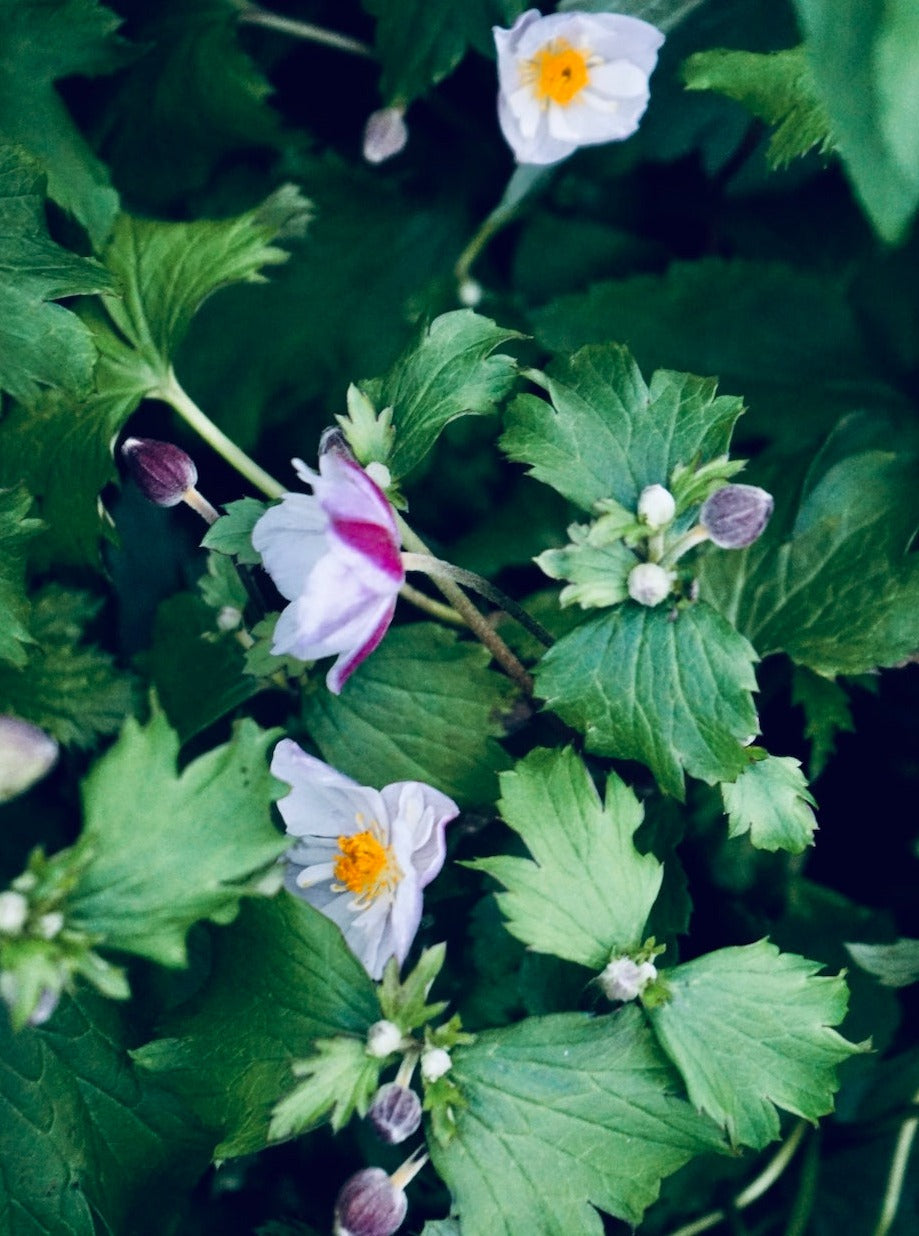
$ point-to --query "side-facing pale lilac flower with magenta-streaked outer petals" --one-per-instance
(335, 557)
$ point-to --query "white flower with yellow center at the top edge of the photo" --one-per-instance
(573, 80)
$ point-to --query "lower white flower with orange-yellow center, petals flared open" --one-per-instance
(363, 857)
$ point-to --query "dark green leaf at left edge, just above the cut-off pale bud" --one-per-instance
(69, 688)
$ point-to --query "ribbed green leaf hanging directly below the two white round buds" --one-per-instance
(675, 694)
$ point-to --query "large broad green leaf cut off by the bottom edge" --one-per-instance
(564, 1114)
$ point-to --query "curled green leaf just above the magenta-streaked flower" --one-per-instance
(449, 373)
